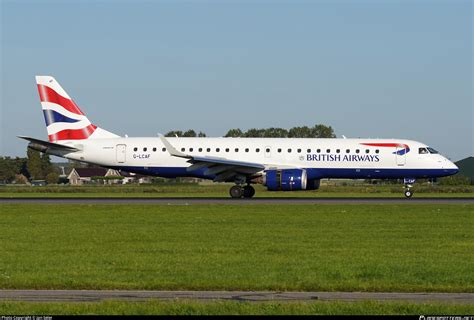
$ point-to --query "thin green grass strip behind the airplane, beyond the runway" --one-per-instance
(222, 190)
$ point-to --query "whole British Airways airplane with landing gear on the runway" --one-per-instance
(280, 164)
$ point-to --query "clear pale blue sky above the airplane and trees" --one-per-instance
(378, 69)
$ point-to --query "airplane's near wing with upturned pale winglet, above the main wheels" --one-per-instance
(223, 168)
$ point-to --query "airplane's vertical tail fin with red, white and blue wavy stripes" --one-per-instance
(64, 120)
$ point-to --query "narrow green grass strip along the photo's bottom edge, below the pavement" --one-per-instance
(179, 307)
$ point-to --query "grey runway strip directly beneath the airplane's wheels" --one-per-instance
(230, 201)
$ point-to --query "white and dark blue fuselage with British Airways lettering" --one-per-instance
(321, 158)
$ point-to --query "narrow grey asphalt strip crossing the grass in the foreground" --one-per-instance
(254, 296)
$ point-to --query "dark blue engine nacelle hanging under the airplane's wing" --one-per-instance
(285, 180)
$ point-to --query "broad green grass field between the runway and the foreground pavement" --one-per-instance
(408, 248)
